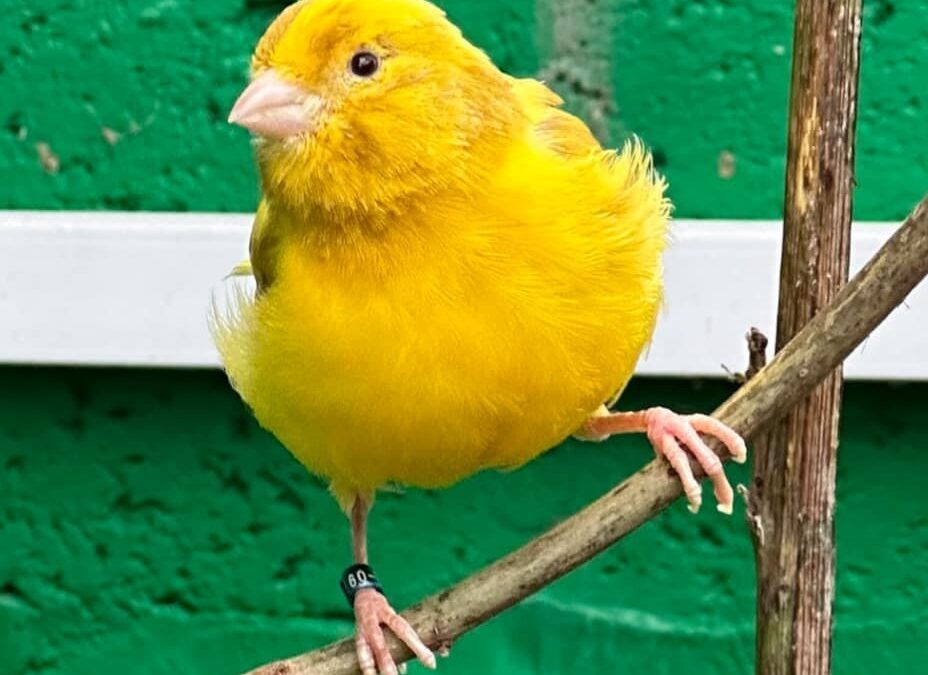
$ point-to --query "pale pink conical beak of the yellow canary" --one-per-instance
(273, 108)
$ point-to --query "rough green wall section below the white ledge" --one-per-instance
(148, 526)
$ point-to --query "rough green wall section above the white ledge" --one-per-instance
(695, 79)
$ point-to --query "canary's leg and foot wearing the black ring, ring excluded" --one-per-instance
(372, 611)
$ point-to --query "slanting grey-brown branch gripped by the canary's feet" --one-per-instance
(811, 355)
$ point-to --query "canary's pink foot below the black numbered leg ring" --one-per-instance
(371, 611)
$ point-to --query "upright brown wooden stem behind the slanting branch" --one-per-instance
(793, 492)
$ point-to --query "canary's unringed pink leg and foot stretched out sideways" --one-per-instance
(669, 433)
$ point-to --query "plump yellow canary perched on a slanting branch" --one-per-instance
(452, 274)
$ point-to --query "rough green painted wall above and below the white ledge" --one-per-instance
(147, 525)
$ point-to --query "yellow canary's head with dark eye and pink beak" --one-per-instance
(358, 103)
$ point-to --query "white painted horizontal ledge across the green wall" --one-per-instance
(132, 289)
